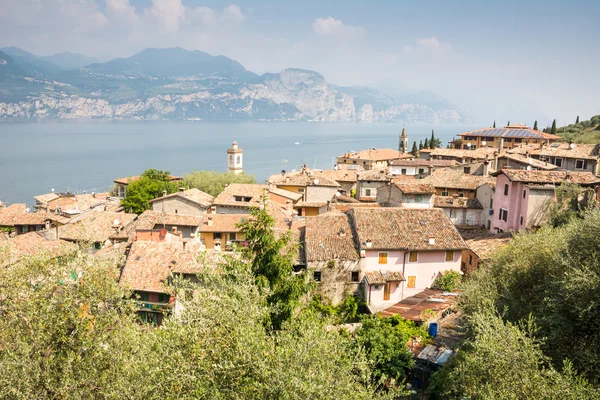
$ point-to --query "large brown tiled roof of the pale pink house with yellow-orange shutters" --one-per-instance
(406, 229)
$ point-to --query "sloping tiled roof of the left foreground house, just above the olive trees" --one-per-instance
(149, 264)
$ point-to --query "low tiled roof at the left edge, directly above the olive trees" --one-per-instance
(32, 243)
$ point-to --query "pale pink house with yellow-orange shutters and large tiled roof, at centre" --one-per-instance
(404, 251)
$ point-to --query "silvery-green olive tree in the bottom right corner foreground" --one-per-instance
(504, 361)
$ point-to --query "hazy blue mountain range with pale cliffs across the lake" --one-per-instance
(179, 84)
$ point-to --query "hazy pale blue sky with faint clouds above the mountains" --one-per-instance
(517, 61)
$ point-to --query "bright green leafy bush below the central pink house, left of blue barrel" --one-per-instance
(385, 342)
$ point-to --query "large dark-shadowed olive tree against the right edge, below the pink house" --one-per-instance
(554, 276)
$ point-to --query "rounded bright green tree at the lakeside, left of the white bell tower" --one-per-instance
(152, 184)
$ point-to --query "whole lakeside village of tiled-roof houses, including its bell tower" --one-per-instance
(383, 225)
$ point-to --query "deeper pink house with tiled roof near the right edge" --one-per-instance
(522, 196)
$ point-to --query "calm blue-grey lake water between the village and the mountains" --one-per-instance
(88, 155)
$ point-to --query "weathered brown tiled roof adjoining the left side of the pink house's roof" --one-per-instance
(330, 237)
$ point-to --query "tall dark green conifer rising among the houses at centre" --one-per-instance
(272, 259)
